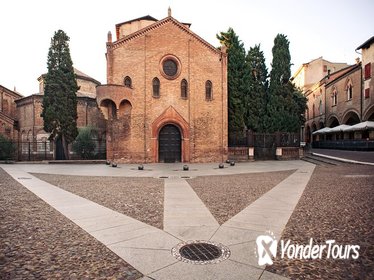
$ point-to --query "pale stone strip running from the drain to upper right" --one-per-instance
(269, 213)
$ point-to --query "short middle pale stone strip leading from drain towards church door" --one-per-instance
(185, 215)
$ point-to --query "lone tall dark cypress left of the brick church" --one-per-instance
(60, 100)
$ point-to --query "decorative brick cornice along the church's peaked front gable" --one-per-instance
(156, 25)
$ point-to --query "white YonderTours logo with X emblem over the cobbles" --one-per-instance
(266, 250)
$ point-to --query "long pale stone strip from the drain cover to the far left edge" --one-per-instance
(144, 247)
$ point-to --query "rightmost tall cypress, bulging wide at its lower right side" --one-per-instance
(285, 104)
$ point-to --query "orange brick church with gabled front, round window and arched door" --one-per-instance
(166, 94)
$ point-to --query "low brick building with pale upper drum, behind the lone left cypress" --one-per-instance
(33, 140)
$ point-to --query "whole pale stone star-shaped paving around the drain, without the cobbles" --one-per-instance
(148, 249)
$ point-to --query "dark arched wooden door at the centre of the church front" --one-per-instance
(169, 144)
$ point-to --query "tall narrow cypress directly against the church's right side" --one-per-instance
(237, 79)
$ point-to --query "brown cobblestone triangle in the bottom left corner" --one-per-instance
(37, 242)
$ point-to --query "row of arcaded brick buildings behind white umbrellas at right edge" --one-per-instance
(337, 94)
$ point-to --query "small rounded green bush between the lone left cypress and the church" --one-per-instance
(84, 145)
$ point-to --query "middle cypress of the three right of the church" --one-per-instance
(257, 89)
